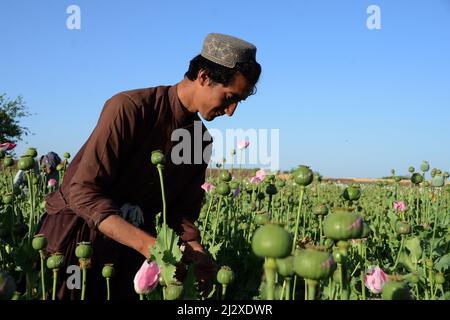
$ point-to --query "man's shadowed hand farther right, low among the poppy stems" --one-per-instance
(204, 267)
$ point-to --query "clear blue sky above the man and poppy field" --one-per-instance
(348, 101)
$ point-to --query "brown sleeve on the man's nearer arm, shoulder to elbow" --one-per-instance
(105, 150)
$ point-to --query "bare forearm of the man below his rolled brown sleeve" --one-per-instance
(127, 234)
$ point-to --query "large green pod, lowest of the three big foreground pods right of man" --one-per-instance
(313, 264)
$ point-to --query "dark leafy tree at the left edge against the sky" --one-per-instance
(11, 111)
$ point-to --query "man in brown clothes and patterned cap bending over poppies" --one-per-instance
(112, 179)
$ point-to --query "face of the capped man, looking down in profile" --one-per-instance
(216, 100)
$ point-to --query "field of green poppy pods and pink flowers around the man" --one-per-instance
(294, 236)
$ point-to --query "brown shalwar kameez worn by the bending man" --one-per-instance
(113, 168)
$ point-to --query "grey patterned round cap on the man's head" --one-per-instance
(227, 50)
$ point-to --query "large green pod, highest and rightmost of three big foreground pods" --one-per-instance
(343, 224)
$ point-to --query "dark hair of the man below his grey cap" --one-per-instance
(220, 74)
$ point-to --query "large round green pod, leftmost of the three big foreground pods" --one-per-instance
(272, 241)
